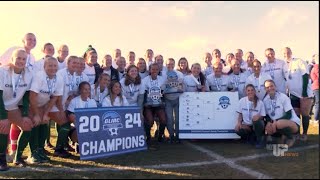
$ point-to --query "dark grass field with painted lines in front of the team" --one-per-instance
(188, 160)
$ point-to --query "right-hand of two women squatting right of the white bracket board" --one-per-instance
(281, 118)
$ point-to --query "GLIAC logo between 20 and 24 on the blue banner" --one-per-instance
(112, 123)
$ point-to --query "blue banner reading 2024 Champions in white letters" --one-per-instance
(109, 131)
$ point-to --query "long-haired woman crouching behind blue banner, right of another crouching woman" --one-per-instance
(115, 97)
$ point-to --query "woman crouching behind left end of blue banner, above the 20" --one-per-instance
(81, 101)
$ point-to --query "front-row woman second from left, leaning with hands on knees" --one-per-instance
(44, 92)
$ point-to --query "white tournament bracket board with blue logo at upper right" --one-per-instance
(208, 115)
